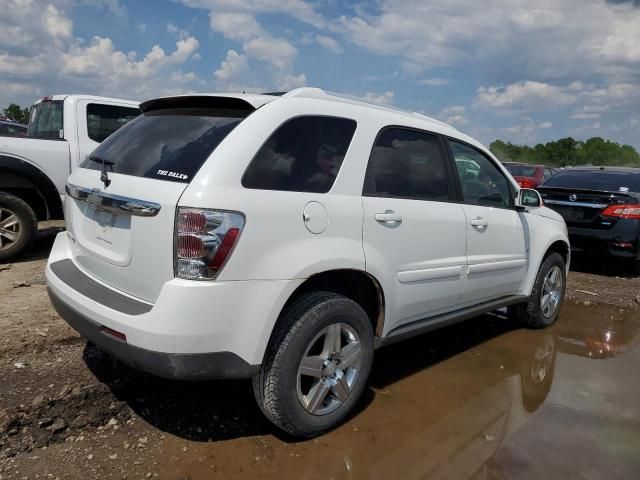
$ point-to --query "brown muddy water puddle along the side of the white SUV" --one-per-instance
(480, 400)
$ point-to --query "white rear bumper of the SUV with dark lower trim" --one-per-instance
(194, 330)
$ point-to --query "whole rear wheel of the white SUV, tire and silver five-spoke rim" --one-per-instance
(316, 365)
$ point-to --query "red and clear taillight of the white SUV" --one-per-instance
(204, 241)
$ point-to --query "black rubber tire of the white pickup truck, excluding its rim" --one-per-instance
(28, 226)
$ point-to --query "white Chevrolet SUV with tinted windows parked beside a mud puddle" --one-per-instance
(285, 238)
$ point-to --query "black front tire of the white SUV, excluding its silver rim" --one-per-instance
(530, 313)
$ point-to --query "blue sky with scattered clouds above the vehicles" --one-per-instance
(523, 71)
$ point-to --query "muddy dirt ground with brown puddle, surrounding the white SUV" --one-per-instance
(484, 399)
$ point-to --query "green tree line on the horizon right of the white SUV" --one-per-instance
(567, 152)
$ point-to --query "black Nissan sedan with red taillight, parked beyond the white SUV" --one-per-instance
(601, 206)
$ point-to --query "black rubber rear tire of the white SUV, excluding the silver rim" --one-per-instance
(276, 387)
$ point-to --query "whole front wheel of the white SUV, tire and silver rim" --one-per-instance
(547, 295)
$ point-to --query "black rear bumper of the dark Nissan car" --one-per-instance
(623, 240)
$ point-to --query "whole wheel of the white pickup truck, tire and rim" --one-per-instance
(18, 226)
